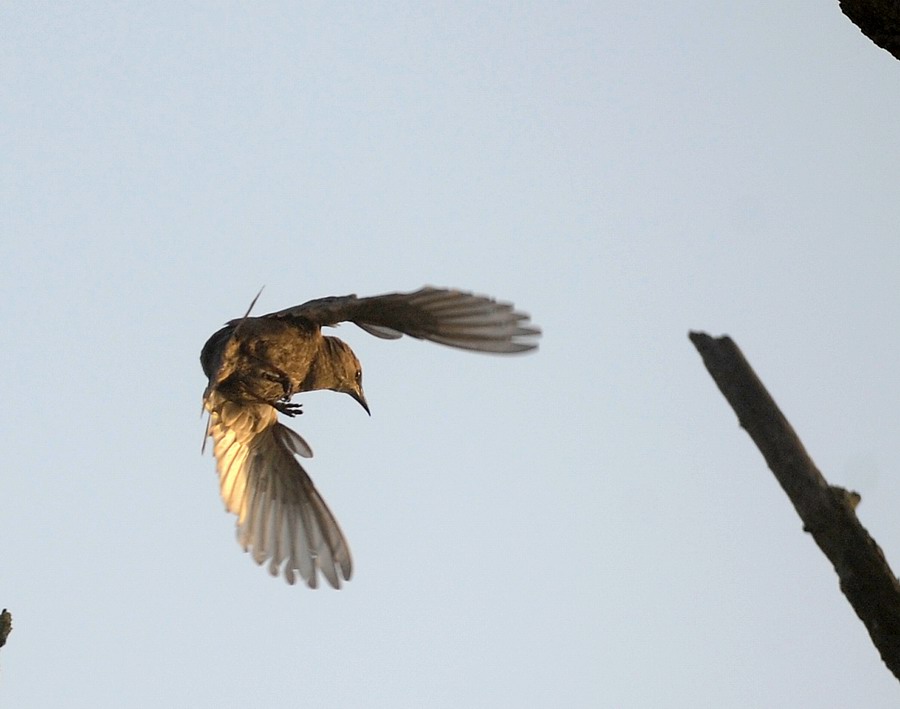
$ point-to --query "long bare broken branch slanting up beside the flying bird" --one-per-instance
(827, 512)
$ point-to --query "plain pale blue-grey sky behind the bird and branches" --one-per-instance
(584, 526)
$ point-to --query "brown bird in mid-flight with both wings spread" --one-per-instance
(255, 365)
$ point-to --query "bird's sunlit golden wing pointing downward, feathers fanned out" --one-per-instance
(282, 519)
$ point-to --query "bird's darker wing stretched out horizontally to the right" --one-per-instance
(450, 317)
